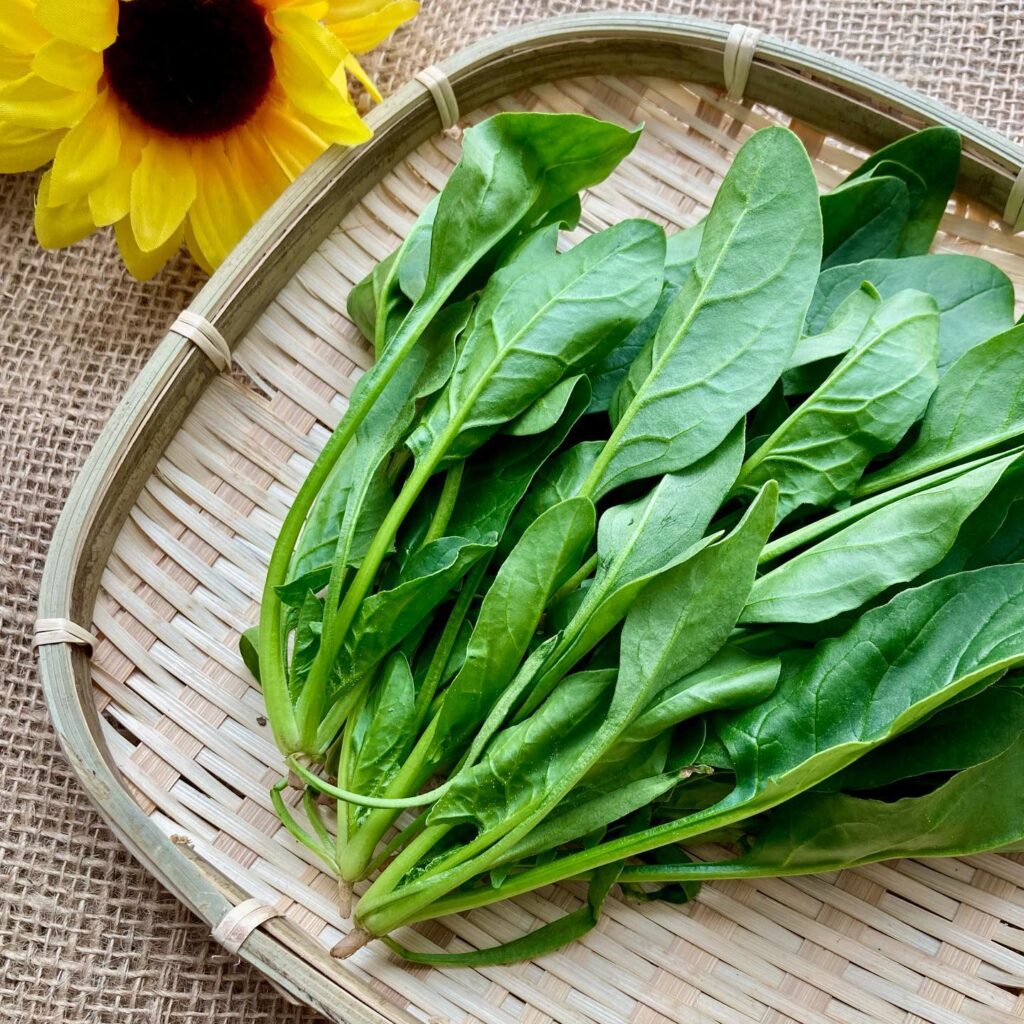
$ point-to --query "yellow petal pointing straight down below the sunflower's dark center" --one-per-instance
(163, 188)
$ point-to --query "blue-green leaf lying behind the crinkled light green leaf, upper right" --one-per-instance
(975, 298)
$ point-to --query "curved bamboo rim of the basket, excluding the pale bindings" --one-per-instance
(803, 82)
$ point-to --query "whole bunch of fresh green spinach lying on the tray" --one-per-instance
(647, 542)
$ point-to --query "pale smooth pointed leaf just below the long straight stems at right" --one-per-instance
(895, 544)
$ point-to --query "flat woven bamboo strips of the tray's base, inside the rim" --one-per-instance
(938, 942)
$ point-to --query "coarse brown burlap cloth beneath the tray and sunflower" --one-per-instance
(86, 934)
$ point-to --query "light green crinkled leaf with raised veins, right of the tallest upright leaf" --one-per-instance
(864, 408)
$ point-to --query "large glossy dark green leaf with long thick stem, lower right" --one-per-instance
(897, 666)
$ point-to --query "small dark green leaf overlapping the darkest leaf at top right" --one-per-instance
(864, 220)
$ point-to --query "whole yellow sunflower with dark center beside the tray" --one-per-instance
(178, 121)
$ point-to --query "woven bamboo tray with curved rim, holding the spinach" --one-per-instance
(162, 550)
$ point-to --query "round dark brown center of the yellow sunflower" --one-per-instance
(191, 68)
